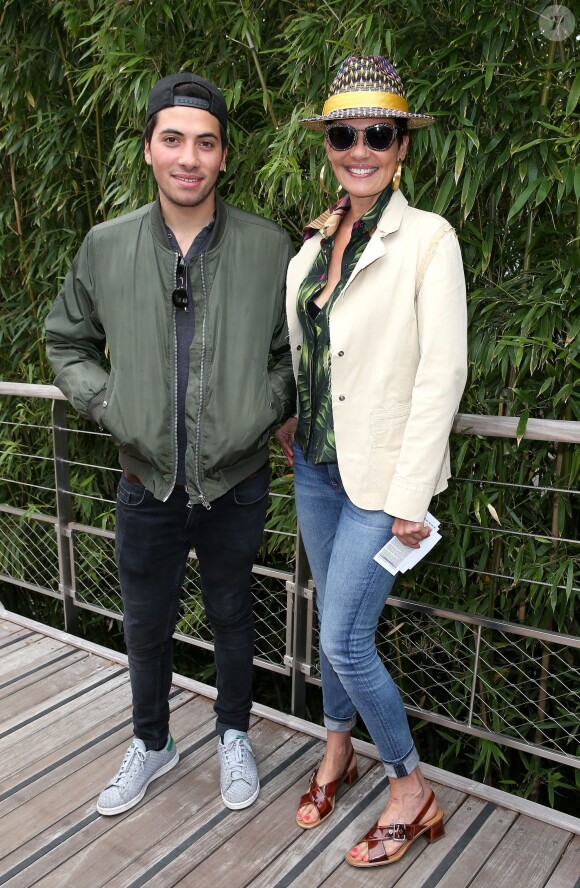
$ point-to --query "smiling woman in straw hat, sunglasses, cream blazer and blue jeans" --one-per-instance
(377, 321)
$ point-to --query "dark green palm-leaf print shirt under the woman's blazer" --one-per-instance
(315, 430)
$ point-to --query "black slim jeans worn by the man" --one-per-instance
(153, 539)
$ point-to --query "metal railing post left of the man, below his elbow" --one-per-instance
(64, 513)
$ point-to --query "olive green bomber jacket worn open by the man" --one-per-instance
(117, 296)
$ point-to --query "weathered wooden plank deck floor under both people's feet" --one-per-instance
(65, 724)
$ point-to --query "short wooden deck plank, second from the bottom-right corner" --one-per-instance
(527, 856)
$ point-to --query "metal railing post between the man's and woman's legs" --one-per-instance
(302, 600)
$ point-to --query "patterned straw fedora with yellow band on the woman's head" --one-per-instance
(367, 87)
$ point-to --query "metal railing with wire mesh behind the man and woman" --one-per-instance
(506, 681)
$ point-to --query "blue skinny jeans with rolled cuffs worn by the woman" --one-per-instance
(351, 590)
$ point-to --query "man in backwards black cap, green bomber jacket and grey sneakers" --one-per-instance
(188, 294)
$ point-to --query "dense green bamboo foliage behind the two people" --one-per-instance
(500, 164)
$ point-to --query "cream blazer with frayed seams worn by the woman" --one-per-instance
(398, 350)
